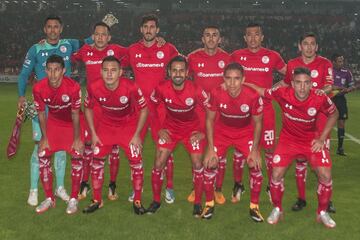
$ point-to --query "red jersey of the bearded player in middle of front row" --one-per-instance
(180, 104)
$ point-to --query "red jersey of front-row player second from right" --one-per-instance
(236, 112)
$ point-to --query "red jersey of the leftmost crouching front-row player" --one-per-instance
(60, 101)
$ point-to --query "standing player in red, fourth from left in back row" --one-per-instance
(206, 68)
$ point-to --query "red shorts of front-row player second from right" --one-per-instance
(225, 138)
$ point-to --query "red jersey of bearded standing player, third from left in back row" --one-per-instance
(149, 64)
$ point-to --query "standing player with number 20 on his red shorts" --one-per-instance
(259, 65)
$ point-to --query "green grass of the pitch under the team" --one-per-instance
(117, 221)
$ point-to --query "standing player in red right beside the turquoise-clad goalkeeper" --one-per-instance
(92, 56)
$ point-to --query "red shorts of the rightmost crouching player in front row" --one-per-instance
(287, 151)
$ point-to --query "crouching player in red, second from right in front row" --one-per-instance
(239, 125)
